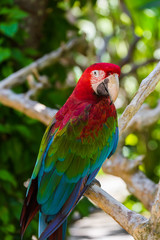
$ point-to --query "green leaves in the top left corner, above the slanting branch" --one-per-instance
(11, 39)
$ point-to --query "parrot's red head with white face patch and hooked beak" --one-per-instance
(100, 79)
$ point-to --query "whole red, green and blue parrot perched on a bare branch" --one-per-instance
(80, 137)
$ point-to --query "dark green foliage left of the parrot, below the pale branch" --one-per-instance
(20, 138)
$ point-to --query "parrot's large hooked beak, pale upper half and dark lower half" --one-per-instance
(109, 87)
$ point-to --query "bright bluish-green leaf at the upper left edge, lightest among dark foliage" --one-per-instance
(9, 29)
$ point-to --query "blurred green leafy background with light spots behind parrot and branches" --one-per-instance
(123, 32)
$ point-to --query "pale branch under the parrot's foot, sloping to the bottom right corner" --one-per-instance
(135, 224)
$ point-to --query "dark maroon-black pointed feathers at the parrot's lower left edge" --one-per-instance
(30, 206)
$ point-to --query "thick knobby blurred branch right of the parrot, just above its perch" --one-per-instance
(137, 183)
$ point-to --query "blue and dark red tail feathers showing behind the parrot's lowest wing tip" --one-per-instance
(59, 234)
